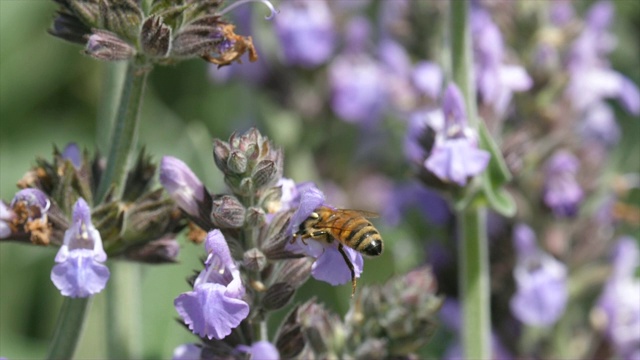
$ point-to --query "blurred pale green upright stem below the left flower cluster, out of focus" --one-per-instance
(124, 325)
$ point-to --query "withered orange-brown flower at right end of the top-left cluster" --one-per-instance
(232, 48)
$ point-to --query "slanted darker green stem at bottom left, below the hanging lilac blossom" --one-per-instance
(68, 328)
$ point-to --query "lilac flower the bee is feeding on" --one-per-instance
(329, 265)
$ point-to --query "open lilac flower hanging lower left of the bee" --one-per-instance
(215, 305)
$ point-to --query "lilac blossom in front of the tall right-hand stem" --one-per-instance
(455, 156)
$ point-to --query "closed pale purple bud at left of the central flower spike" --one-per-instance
(182, 184)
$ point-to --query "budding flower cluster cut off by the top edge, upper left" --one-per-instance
(169, 32)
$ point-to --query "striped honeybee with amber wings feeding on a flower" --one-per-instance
(349, 227)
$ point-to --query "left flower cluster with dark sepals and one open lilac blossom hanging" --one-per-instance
(57, 207)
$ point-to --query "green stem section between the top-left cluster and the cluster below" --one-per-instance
(123, 136)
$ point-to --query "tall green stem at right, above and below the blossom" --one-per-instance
(474, 256)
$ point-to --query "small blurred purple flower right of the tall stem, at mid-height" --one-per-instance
(562, 193)
